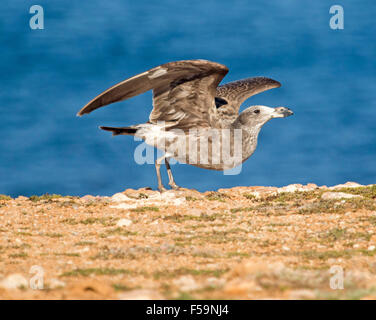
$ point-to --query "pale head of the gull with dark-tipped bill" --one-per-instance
(259, 115)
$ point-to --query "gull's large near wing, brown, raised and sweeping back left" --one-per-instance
(183, 92)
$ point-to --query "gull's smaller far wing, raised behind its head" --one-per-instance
(233, 94)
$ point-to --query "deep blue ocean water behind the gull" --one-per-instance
(328, 78)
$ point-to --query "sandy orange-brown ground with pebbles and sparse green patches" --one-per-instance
(296, 242)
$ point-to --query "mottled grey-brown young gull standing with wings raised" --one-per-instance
(190, 108)
